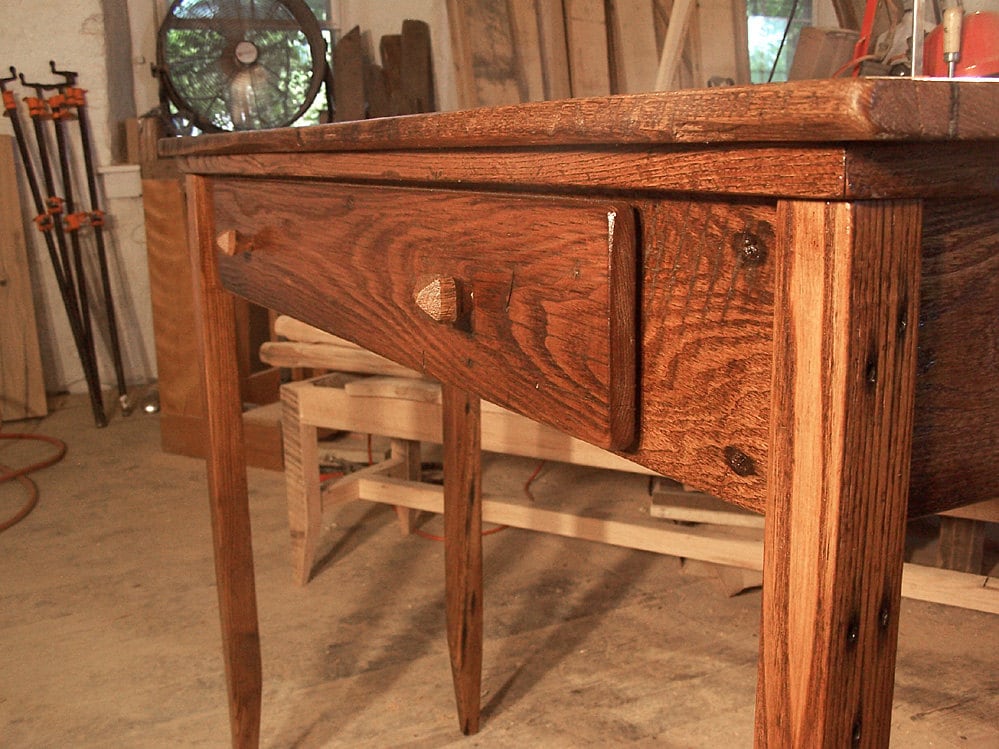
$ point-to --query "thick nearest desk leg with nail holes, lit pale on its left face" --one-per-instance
(846, 300)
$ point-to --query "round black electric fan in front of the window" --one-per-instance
(241, 64)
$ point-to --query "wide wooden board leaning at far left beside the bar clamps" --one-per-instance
(22, 386)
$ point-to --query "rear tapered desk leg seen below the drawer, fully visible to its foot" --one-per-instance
(463, 549)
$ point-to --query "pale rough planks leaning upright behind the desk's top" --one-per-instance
(533, 50)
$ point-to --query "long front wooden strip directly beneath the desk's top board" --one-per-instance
(808, 172)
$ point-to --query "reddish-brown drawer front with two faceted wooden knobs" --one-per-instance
(526, 301)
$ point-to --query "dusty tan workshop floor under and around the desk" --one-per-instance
(109, 637)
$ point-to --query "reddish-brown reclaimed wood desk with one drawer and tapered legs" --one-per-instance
(785, 295)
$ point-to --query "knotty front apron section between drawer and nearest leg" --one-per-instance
(707, 316)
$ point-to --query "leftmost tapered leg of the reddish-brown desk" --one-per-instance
(226, 476)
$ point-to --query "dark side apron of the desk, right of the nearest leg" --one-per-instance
(956, 431)
